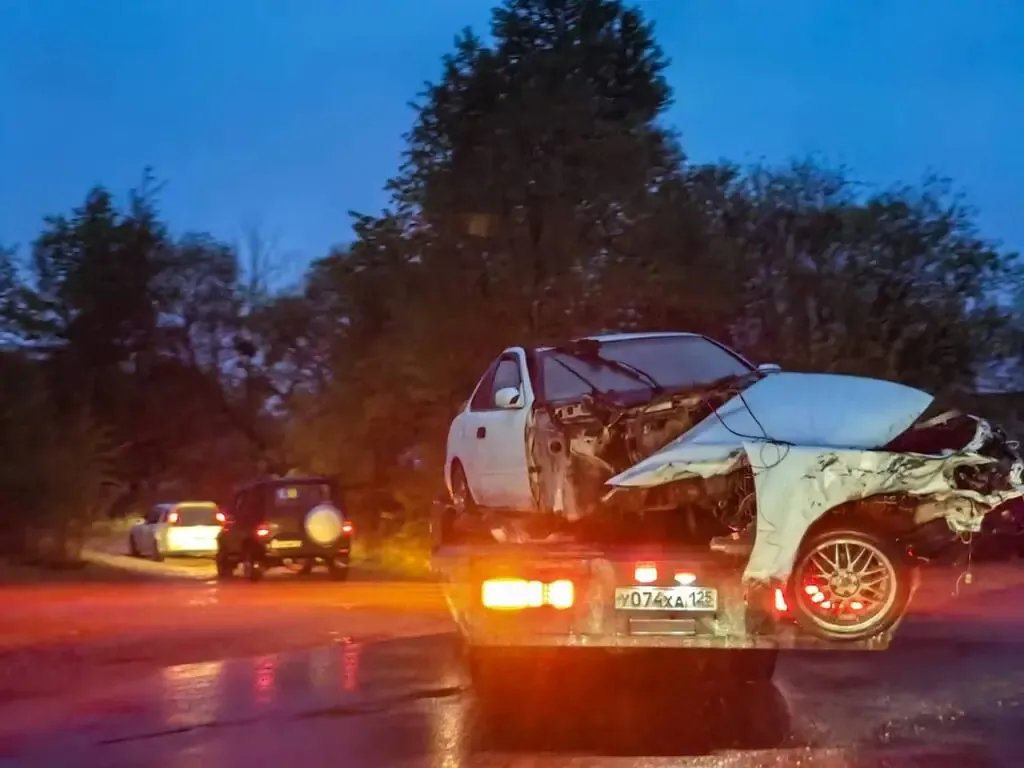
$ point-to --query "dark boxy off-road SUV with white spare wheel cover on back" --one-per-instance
(287, 522)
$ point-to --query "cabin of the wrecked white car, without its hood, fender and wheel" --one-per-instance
(509, 448)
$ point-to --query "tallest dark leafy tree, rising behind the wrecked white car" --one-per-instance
(526, 162)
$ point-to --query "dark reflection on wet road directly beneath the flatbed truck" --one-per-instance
(612, 710)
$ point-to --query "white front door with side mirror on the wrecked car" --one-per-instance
(501, 434)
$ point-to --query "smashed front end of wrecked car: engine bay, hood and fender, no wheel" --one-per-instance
(747, 465)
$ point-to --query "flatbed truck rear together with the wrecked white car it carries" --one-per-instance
(686, 493)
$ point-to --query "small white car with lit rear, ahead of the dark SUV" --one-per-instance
(179, 529)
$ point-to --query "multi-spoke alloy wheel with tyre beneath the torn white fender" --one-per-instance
(816, 616)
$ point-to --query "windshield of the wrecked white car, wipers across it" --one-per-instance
(674, 362)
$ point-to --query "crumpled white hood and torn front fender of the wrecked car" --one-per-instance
(815, 442)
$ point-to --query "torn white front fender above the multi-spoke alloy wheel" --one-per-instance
(807, 482)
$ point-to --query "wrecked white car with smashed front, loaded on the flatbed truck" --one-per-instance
(812, 479)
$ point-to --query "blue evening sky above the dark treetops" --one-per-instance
(288, 113)
